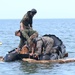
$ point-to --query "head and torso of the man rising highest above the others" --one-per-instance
(26, 22)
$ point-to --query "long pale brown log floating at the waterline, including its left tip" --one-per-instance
(65, 60)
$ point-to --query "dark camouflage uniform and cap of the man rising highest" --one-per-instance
(27, 24)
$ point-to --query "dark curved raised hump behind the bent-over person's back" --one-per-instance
(58, 44)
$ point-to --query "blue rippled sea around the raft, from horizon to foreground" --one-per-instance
(63, 28)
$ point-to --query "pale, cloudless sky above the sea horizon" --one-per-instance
(46, 9)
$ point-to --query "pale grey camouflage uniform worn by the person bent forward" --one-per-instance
(44, 46)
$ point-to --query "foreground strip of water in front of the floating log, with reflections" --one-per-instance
(24, 68)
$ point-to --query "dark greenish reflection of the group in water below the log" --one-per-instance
(32, 68)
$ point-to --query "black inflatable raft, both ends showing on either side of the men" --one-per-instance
(58, 46)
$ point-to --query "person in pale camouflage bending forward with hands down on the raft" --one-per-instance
(41, 48)
